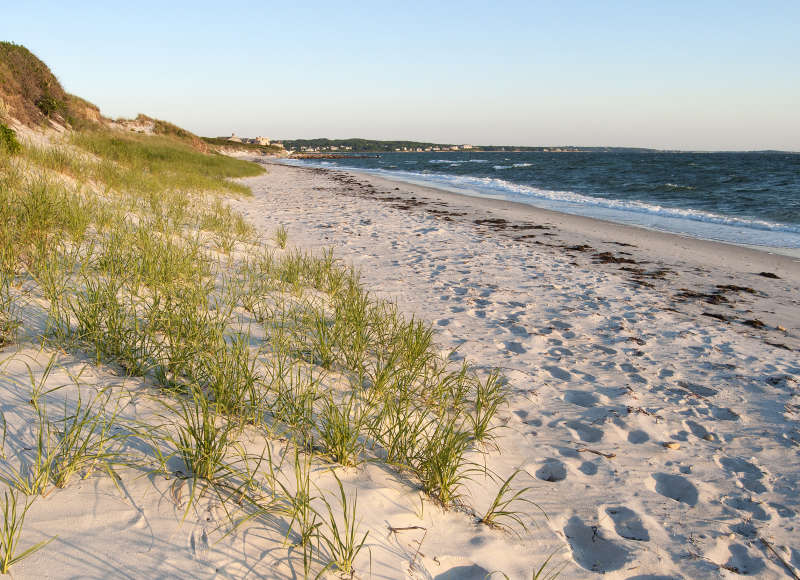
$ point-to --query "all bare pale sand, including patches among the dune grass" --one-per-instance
(596, 362)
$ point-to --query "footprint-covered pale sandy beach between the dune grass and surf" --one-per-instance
(655, 395)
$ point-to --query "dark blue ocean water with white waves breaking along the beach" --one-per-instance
(743, 198)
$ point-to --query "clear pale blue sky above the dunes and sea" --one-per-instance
(674, 74)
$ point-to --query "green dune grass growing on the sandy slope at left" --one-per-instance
(130, 246)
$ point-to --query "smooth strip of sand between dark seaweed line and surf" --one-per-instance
(697, 260)
